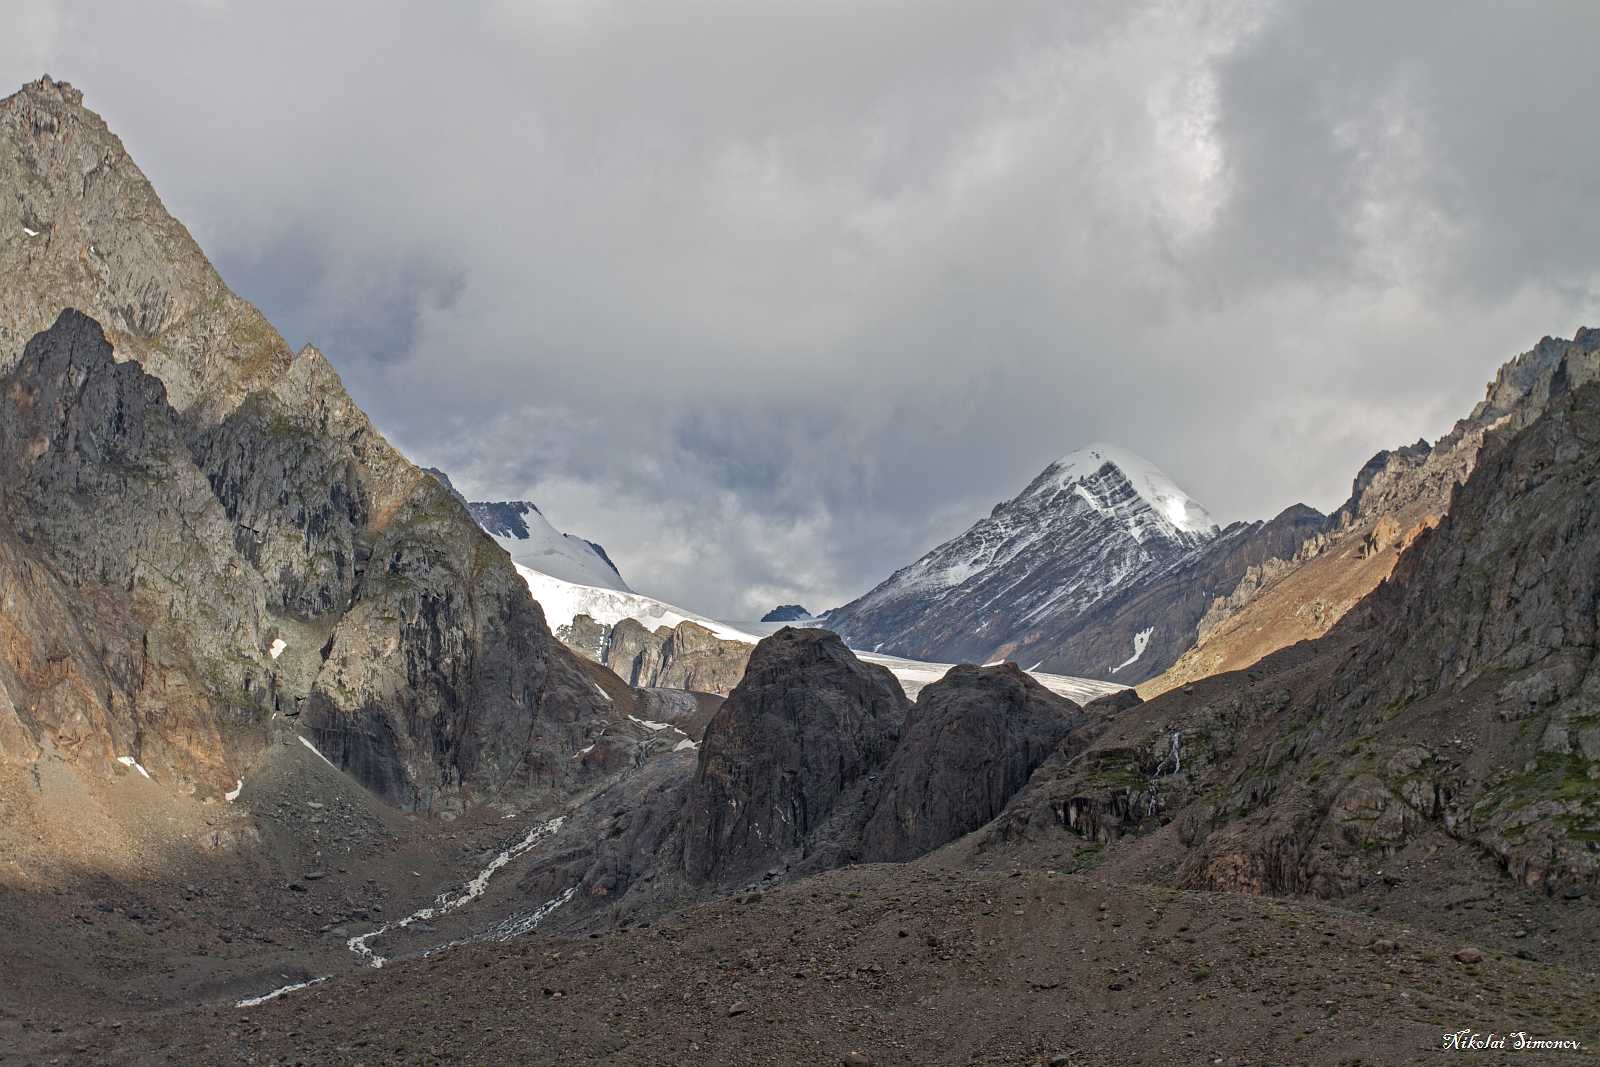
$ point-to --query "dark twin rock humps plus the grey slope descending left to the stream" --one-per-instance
(817, 761)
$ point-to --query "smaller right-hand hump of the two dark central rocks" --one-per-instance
(972, 743)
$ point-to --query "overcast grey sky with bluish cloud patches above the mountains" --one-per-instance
(770, 298)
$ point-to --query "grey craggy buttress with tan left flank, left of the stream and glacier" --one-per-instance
(442, 674)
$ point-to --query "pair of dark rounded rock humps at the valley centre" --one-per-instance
(817, 761)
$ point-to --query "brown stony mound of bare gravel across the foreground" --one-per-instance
(902, 965)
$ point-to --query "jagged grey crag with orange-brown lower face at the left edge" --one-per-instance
(129, 633)
